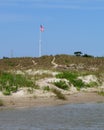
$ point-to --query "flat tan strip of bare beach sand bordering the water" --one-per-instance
(30, 101)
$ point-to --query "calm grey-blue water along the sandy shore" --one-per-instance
(63, 117)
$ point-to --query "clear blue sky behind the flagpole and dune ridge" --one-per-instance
(70, 25)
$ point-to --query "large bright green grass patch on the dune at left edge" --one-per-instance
(10, 83)
